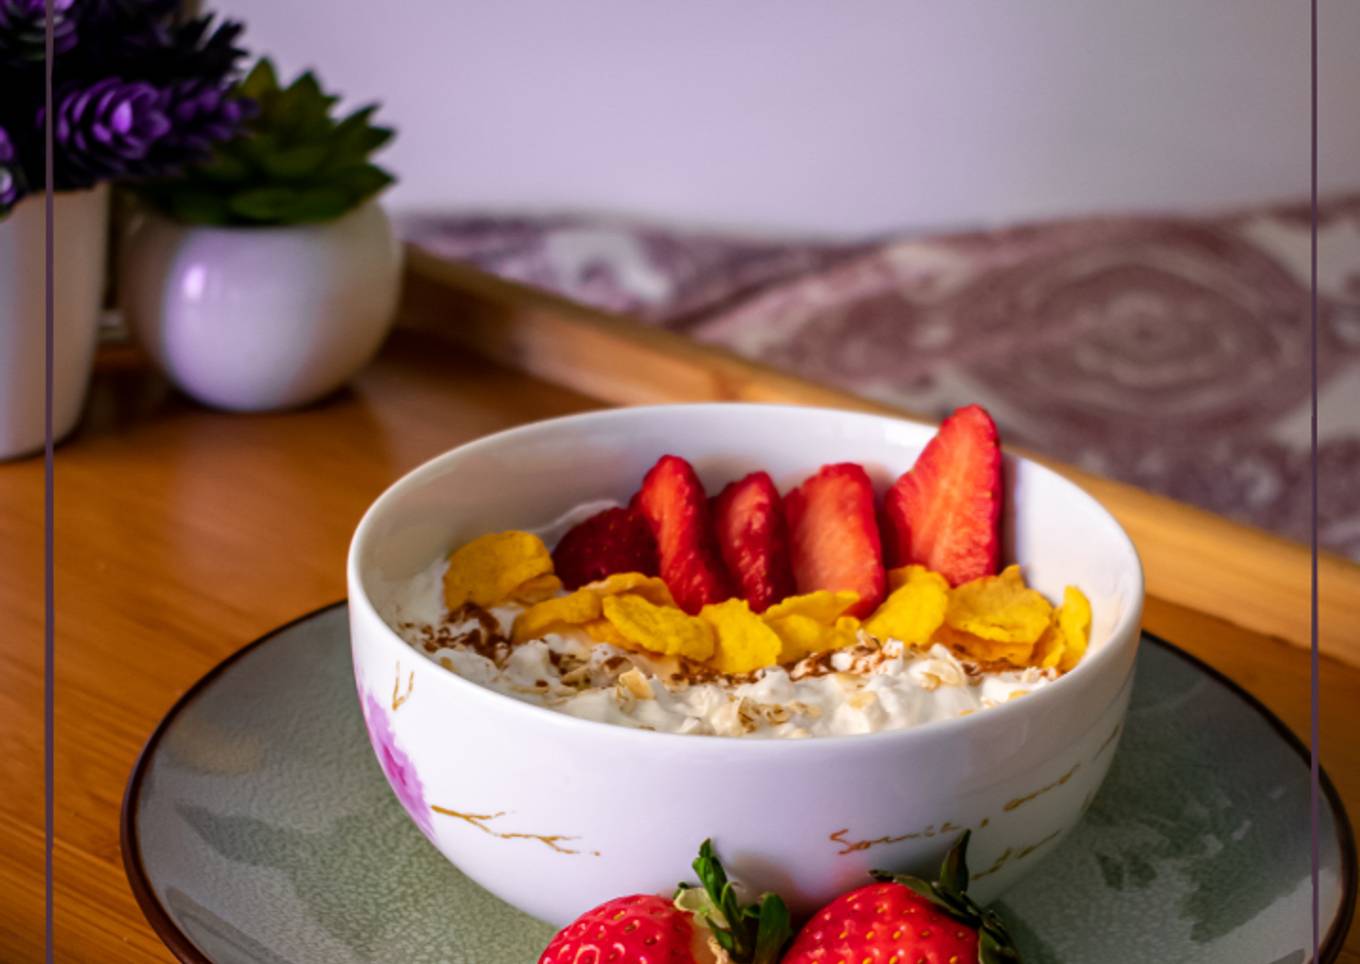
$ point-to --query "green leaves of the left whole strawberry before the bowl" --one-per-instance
(749, 933)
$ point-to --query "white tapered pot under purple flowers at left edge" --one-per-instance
(81, 225)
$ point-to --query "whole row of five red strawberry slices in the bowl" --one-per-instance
(753, 545)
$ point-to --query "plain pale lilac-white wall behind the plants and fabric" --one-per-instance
(837, 116)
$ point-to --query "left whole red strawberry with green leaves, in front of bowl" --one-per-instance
(702, 925)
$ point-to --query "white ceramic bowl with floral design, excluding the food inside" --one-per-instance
(557, 815)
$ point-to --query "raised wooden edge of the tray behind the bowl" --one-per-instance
(1199, 560)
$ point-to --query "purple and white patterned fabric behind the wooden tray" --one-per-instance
(1169, 353)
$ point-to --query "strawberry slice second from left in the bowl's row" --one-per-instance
(674, 504)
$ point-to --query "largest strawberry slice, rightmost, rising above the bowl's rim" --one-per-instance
(946, 512)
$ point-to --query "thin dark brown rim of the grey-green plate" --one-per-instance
(186, 951)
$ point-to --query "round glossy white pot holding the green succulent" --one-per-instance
(256, 319)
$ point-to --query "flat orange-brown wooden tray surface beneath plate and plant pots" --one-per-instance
(183, 535)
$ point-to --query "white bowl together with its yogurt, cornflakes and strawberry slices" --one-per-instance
(828, 641)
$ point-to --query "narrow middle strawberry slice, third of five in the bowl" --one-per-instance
(754, 540)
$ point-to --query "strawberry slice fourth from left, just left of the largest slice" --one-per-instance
(834, 535)
